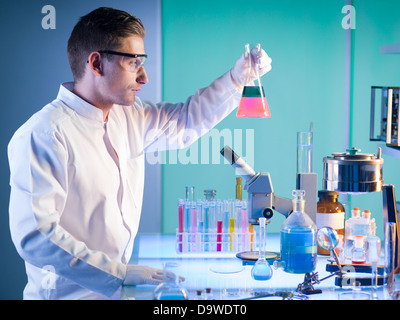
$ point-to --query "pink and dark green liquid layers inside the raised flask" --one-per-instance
(253, 104)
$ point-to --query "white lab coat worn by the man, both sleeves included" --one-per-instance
(77, 184)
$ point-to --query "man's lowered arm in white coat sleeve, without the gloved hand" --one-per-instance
(39, 186)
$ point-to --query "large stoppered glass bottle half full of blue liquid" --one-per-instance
(298, 239)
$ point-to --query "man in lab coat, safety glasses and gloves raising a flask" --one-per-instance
(77, 165)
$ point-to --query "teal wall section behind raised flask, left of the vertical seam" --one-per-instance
(202, 39)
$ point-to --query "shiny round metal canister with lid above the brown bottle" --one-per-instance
(353, 172)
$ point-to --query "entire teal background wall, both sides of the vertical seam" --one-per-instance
(202, 39)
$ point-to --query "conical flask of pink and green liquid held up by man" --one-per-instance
(253, 103)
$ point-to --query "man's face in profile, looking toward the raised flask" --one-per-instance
(120, 82)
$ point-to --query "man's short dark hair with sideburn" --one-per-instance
(101, 29)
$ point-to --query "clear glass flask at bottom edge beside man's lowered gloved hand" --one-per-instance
(170, 288)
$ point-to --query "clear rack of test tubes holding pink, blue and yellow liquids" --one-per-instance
(210, 225)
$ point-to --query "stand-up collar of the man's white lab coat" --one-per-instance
(79, 105)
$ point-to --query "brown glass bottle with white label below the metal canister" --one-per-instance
(330, 213)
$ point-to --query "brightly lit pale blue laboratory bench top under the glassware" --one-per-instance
(228, 277)
